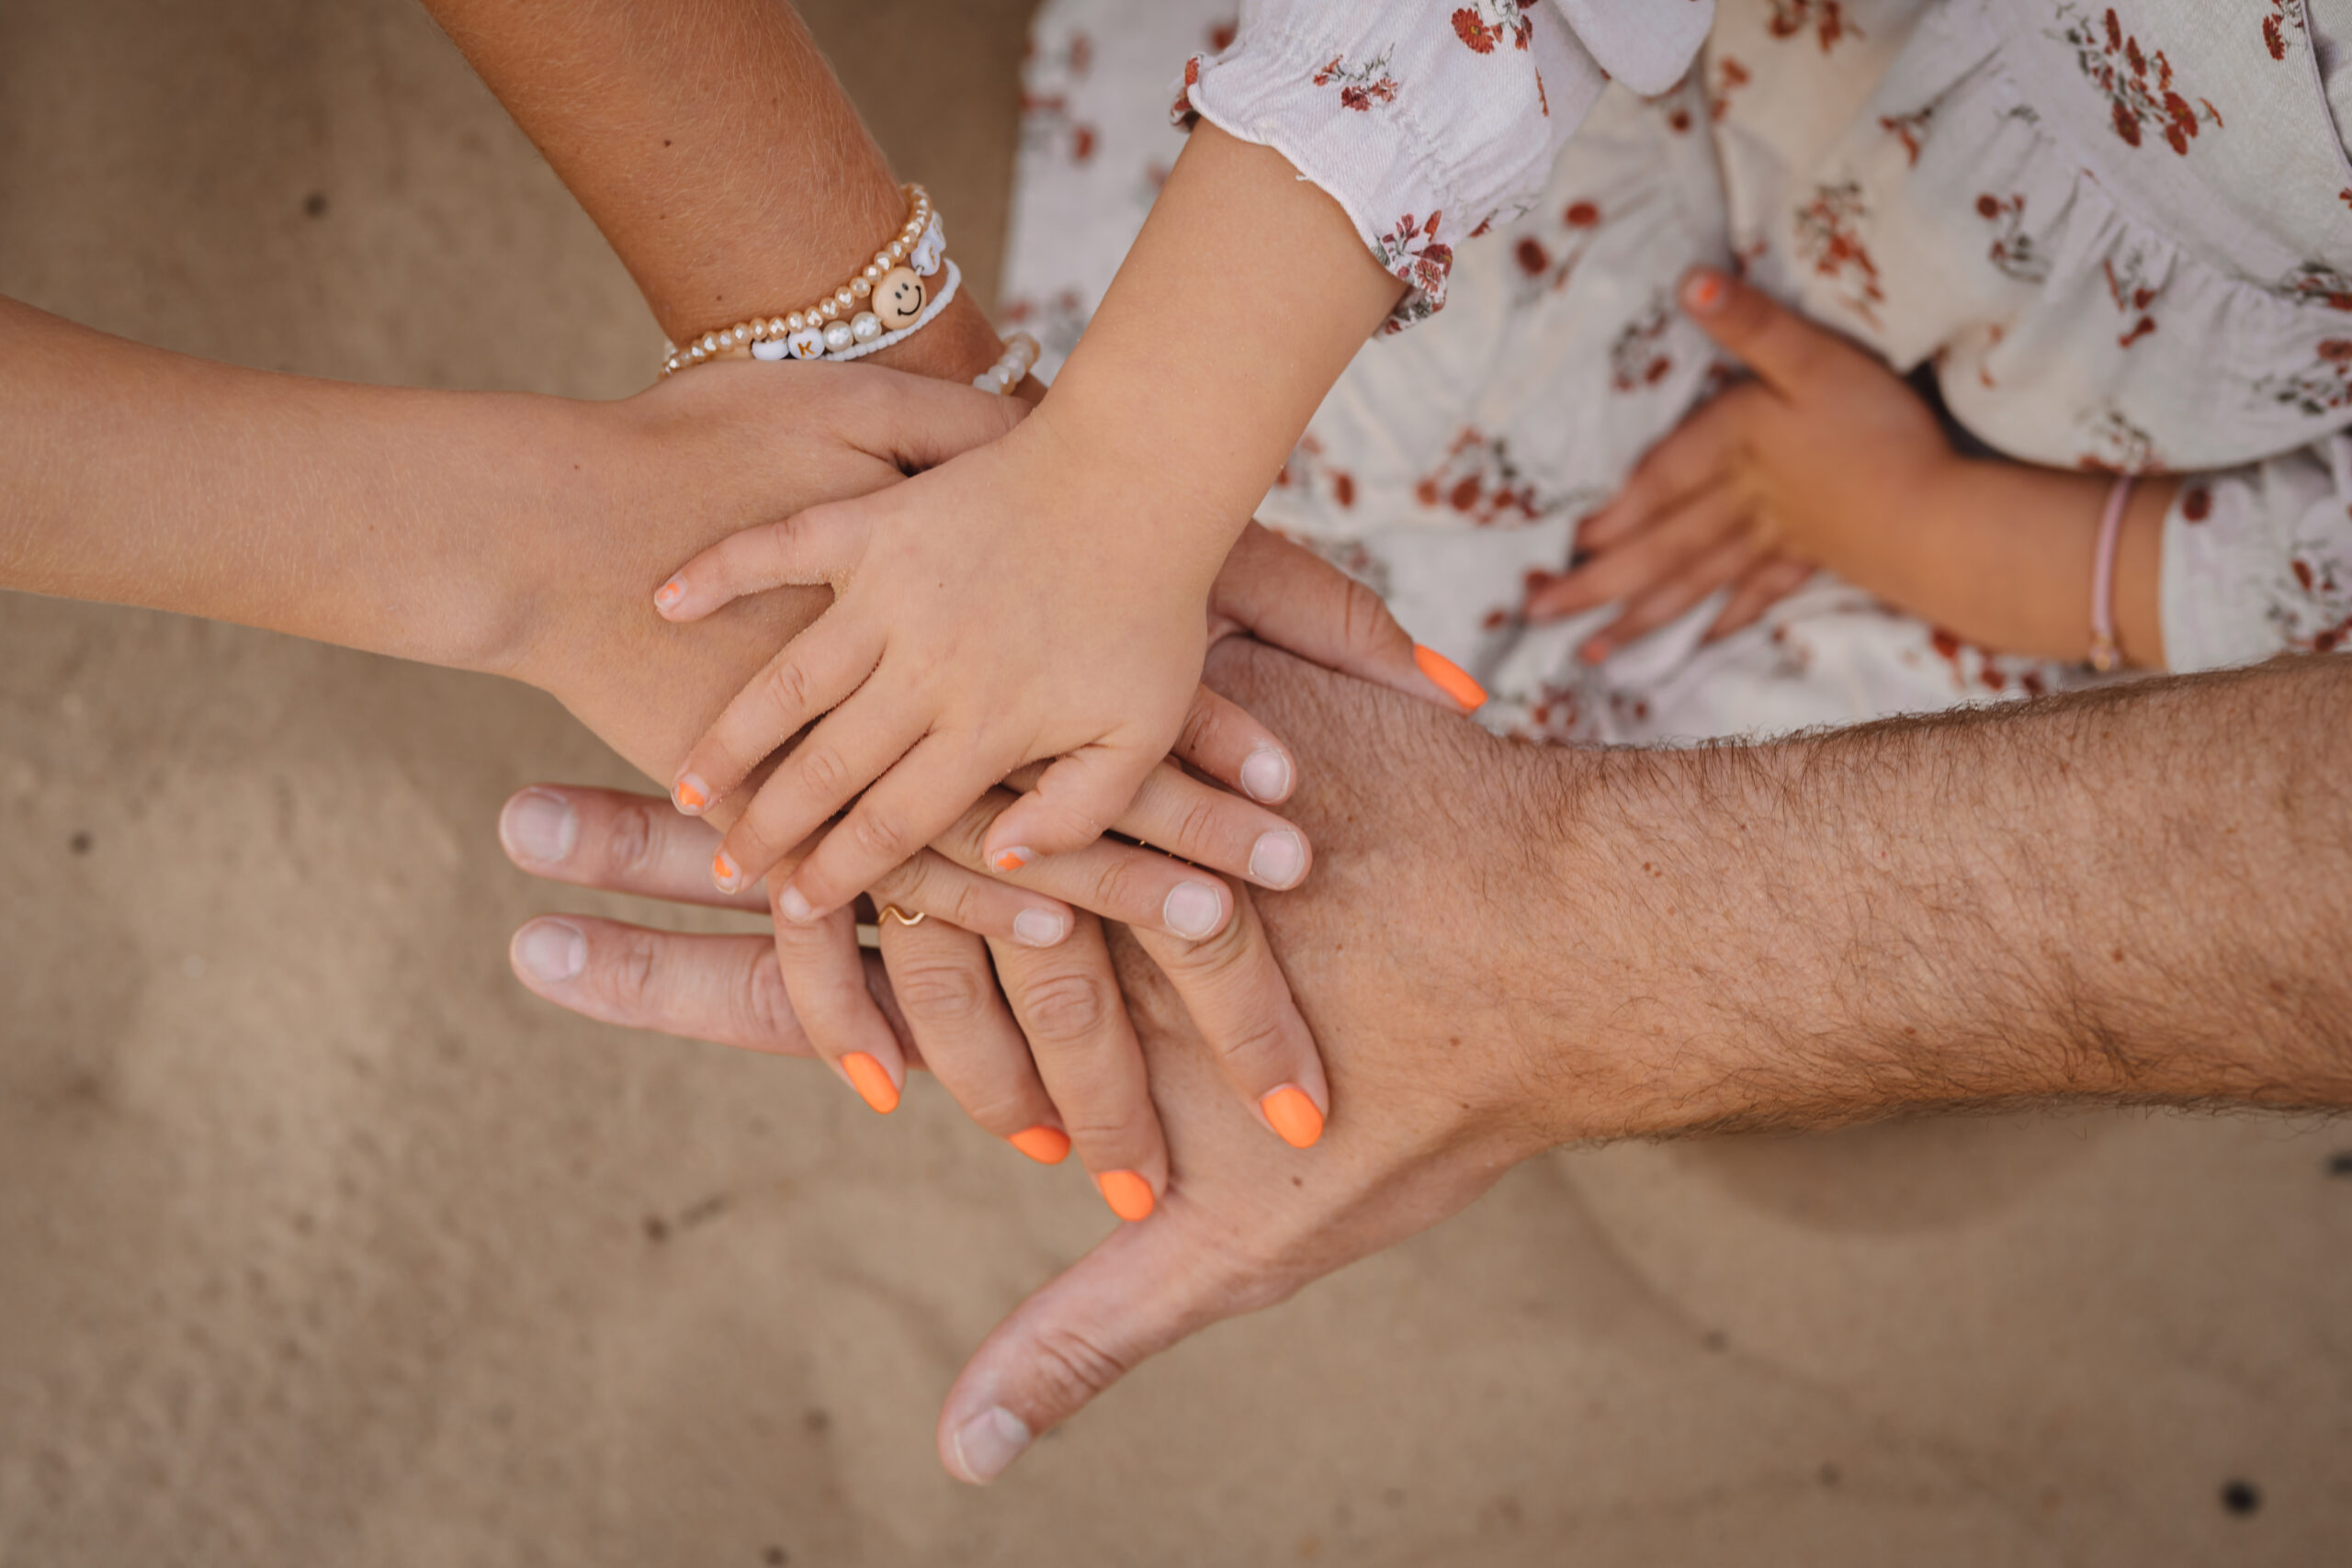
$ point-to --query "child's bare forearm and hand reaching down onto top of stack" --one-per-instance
(1048, 598)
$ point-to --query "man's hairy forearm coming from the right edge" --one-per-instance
(2130, 897)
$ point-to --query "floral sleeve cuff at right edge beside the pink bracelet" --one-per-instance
(2259, 561)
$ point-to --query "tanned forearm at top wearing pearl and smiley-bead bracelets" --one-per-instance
(714, 149)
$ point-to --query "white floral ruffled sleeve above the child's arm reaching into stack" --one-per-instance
(1429, 123)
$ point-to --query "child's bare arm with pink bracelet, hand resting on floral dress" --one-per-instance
(1829, 460)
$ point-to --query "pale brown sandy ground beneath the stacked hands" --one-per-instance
(321, 1242)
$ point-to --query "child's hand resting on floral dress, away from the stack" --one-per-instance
(1775, 478)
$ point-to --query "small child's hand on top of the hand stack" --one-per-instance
(989, 615)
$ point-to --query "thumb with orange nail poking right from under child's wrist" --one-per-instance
(1297, 601)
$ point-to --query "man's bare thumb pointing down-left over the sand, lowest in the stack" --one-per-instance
(1144, 1289)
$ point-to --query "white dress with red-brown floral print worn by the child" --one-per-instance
(2120, 239)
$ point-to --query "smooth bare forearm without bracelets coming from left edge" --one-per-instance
(375, 518)
